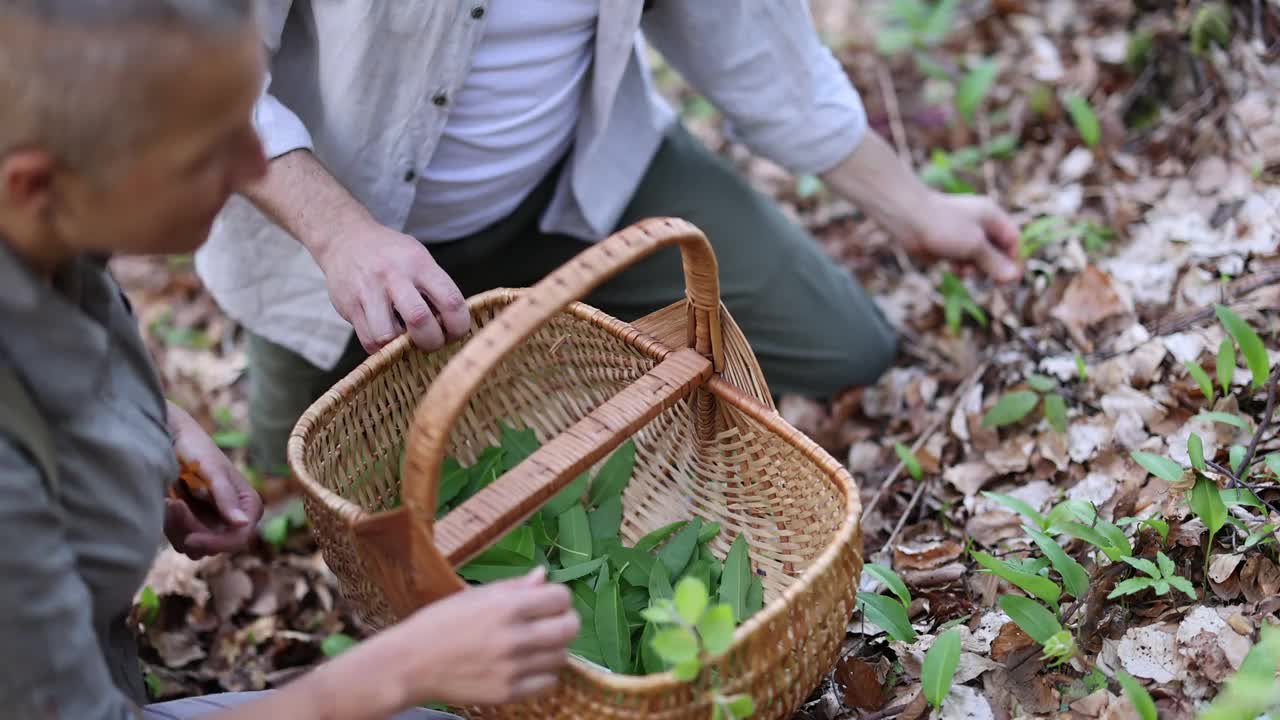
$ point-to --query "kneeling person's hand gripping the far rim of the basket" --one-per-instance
(386, 284)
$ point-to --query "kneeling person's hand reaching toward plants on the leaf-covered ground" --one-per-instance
(968, 230)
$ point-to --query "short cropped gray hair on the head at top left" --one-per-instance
(72, 72)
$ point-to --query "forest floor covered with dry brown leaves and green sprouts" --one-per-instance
(1142, 160)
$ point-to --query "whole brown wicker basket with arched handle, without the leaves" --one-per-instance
(683, 384)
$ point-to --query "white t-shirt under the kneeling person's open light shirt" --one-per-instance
(513, 120)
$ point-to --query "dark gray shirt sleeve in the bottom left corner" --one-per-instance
(51, 662)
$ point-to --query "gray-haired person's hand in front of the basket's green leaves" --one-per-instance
(492, 645)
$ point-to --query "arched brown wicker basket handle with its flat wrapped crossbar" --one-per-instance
(508, 502)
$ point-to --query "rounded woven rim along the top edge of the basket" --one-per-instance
(721, 389)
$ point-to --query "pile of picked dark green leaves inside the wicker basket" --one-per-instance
(577, 536)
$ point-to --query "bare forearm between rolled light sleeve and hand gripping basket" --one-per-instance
(301, 197)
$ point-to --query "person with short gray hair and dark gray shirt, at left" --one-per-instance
(125, 127)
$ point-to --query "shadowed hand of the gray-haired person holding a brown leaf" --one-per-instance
(228, 521)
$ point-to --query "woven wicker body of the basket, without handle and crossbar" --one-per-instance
(723, 455)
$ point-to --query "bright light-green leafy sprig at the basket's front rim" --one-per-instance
(689, 632)
